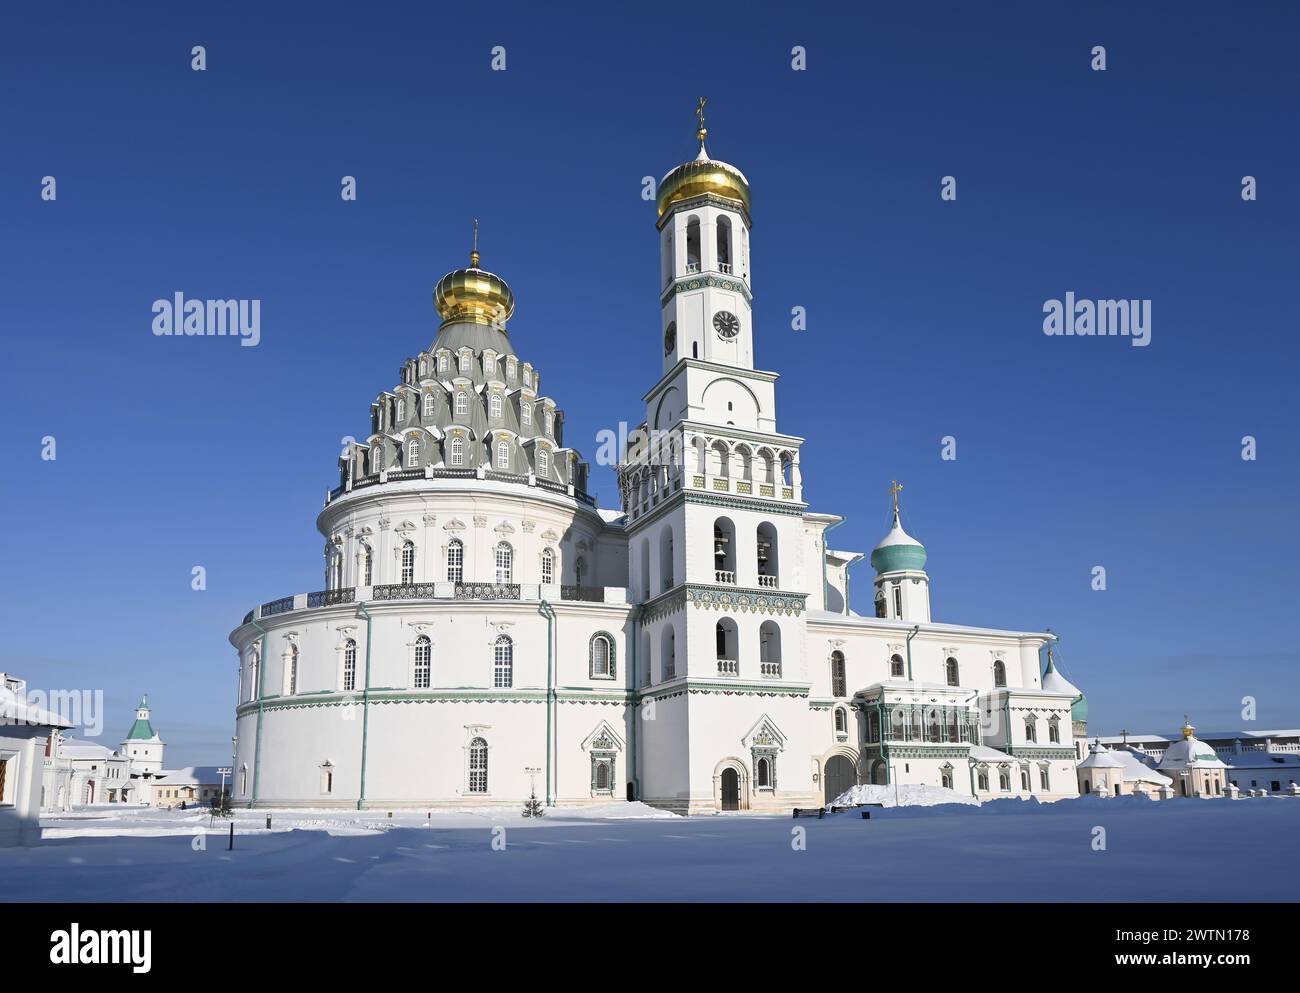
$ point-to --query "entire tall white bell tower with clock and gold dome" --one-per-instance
(716, 526)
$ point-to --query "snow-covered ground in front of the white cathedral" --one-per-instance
(1004, 851)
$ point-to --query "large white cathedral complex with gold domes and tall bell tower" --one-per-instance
(488, 631)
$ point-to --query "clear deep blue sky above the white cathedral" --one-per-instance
(925, 318)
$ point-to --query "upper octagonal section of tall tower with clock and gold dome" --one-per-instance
(704, 271)
